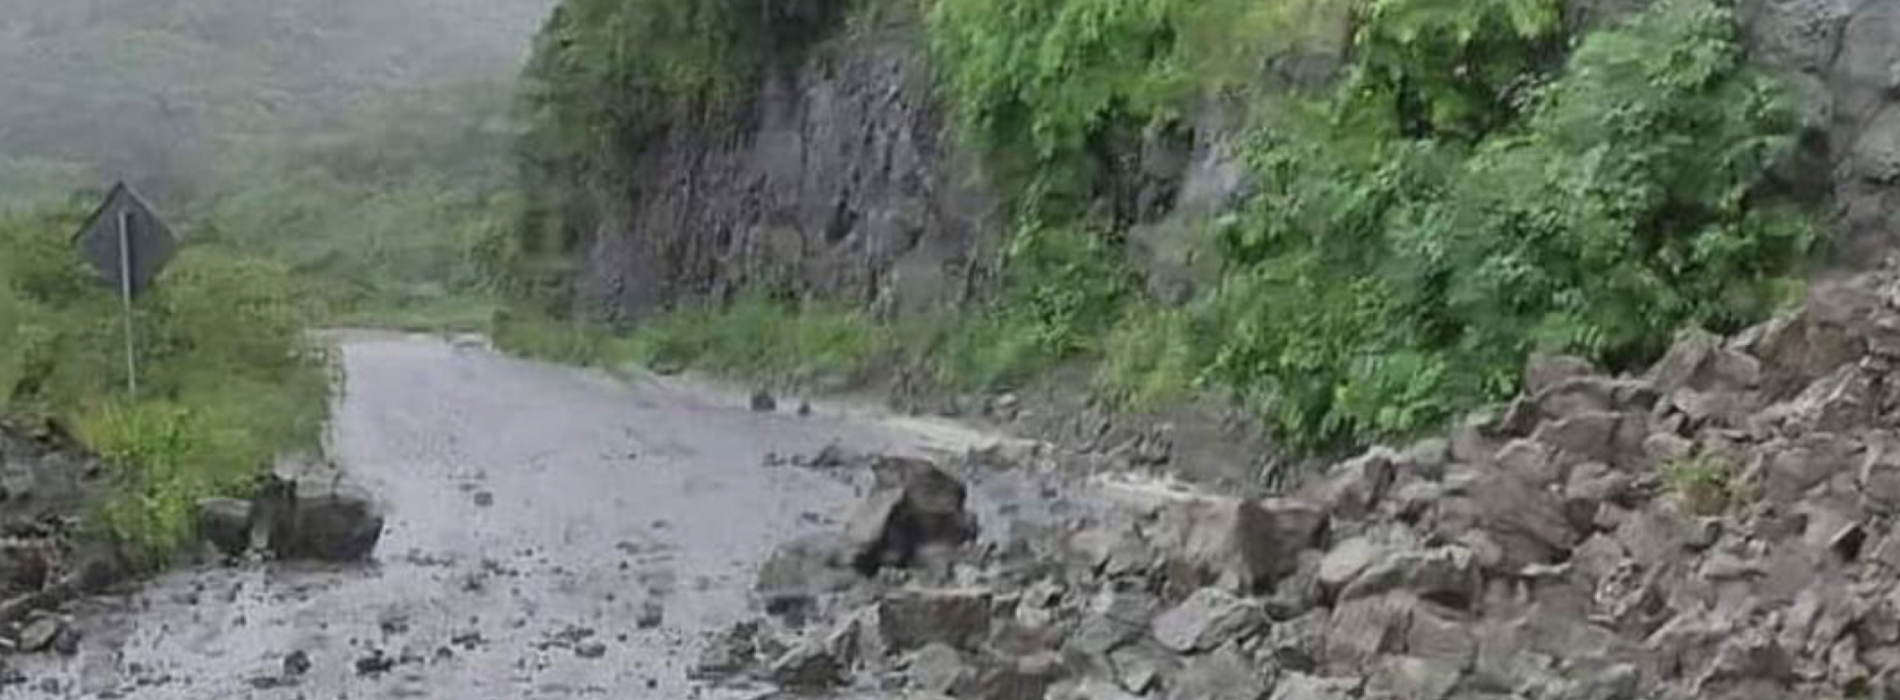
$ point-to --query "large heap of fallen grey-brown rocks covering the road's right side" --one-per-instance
(1717, 528)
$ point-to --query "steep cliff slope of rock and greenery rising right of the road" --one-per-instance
(1354, 220)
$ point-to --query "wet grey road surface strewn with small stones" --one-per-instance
(550, 534)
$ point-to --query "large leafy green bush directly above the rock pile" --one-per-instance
(1382, 282)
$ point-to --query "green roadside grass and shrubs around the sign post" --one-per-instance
(227, 378)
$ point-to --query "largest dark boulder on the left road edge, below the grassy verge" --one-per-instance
(328, 522)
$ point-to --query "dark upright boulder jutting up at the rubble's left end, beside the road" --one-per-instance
(913, 507)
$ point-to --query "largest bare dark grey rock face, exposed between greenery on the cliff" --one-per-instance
(837, 184)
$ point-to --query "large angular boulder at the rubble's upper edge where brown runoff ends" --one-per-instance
(1236, 543)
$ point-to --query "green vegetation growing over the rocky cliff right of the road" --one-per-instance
(1470, 185)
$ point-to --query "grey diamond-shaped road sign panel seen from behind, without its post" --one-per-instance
(124, 220)
